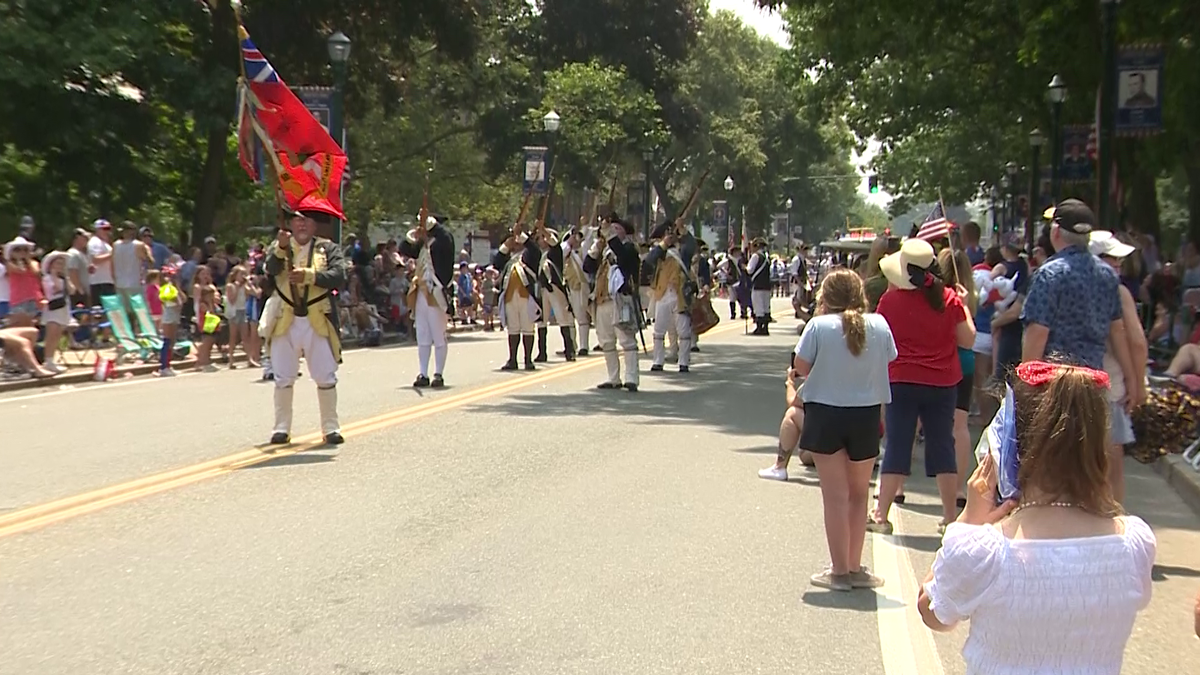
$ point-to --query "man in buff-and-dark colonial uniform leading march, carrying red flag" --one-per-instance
(301, 319)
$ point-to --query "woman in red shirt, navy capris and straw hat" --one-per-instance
(929, 325)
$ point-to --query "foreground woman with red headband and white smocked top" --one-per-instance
(1054, 577)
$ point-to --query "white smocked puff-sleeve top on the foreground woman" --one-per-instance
(1043, 606)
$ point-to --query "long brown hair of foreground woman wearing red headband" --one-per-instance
(1063, 437)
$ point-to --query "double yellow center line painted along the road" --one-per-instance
(89, 503)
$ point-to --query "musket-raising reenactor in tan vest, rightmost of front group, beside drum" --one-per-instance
(673, 290)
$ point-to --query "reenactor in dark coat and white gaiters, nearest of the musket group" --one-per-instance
(615, 262)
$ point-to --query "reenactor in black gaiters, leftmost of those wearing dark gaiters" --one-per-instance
(519, 259)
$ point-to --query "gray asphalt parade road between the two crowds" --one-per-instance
(514, 523)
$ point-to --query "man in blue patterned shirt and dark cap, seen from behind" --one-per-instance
(1073, 306)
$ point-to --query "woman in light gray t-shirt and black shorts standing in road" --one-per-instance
(845, 355)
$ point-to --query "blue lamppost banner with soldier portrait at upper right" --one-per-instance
(1141, 91)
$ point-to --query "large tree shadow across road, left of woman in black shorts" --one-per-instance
(752, 375)
